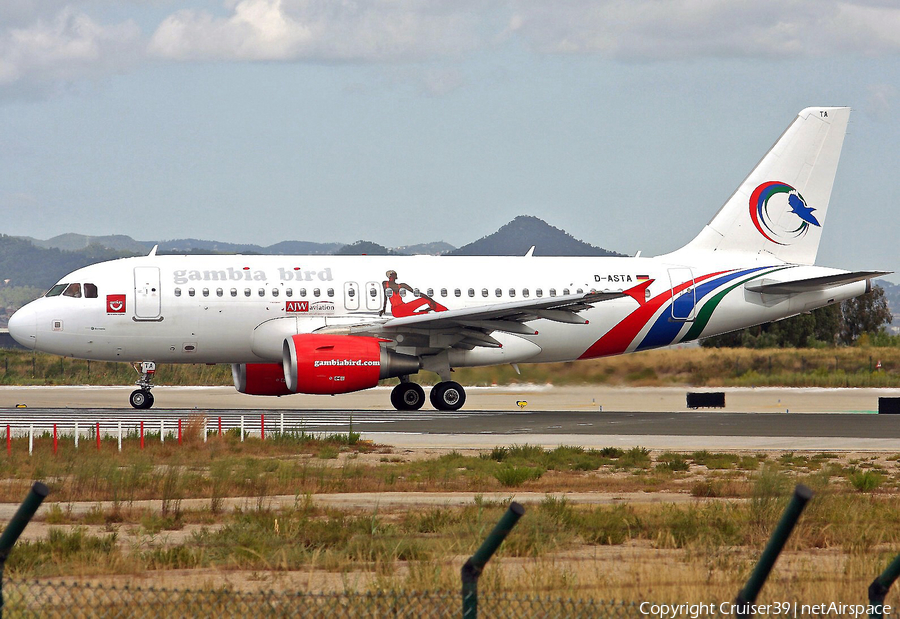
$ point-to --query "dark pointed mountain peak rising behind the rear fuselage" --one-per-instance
(523, 232)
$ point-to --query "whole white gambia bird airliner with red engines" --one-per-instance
(336, 324)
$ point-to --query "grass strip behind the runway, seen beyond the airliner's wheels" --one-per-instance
(825, 367)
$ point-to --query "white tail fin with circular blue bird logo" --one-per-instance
(780, 208)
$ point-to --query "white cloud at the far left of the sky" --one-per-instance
(63, 48)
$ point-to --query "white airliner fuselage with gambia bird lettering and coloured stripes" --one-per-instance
(239, 309)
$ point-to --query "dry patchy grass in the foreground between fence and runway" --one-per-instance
(621, 550)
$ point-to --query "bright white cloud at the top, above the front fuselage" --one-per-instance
(343, 30)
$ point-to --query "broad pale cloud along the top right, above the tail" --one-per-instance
(680, 29)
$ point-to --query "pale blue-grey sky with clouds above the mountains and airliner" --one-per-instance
(627, 123)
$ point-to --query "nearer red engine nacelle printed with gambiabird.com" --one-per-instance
(330, 364)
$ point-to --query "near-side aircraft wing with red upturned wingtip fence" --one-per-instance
(471, 326)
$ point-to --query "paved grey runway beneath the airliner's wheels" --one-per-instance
(754, 419)
